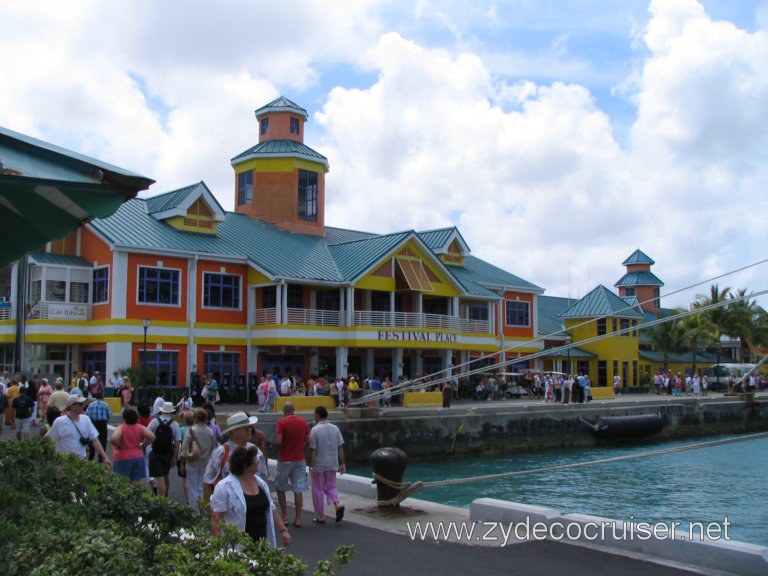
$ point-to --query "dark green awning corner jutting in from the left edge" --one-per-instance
(47, 191)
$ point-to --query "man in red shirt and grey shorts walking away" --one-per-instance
(292, 436)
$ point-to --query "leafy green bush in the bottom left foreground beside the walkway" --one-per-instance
(62, 515)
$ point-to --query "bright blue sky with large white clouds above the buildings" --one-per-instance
(558, 136)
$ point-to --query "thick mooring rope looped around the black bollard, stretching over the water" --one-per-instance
(412, 487)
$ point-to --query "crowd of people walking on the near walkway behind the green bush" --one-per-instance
(224, 471)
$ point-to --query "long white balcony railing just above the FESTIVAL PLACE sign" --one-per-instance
(309, 317)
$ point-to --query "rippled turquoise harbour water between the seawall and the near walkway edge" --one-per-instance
(703, 485)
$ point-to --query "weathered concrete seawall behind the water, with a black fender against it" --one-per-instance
(503, 427)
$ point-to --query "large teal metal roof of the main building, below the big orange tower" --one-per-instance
(341, 256)
